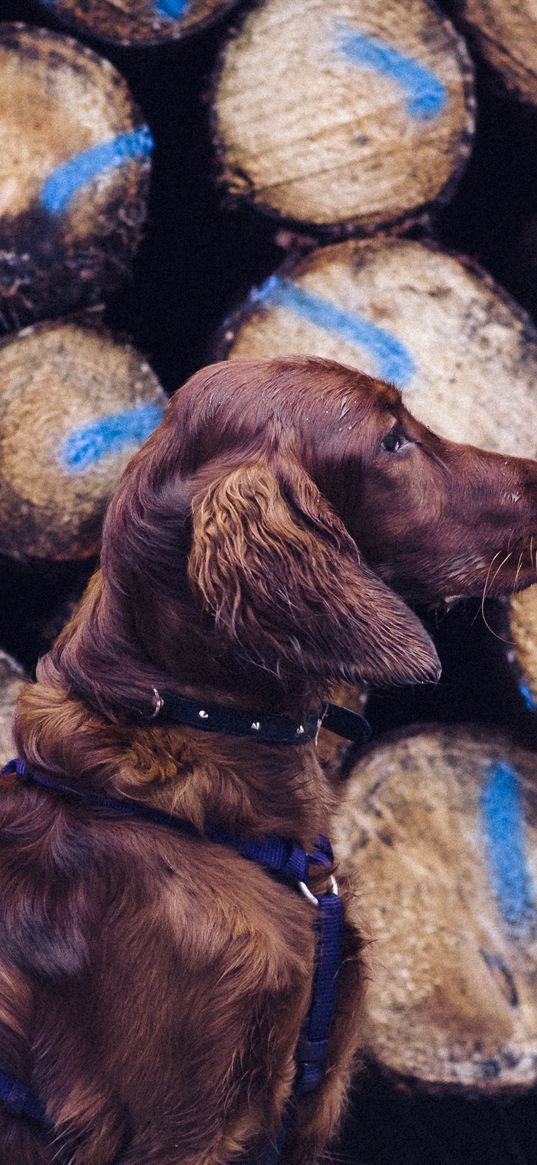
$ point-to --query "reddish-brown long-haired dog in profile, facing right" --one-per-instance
(153, 985)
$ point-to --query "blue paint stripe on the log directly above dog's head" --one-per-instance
(393, 359)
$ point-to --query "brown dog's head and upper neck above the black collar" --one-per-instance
(273, 526)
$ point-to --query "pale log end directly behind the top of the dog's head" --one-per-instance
(463, 352)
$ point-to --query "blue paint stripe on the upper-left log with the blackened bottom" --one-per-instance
(65, 182)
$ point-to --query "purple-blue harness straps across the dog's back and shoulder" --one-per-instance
(278, 856)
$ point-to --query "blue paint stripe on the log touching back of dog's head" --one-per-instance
(91, 443)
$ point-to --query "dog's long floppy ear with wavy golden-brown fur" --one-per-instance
(285, 583)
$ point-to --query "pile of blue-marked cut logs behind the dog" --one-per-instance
(370, 197)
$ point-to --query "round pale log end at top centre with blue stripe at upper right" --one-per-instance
(340, 118)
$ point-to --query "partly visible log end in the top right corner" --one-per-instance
(506, 34)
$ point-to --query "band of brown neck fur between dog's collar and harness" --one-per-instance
(242, 783)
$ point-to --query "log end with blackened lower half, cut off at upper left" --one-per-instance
(74, 179)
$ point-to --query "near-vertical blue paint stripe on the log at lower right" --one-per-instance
(504, 828)
